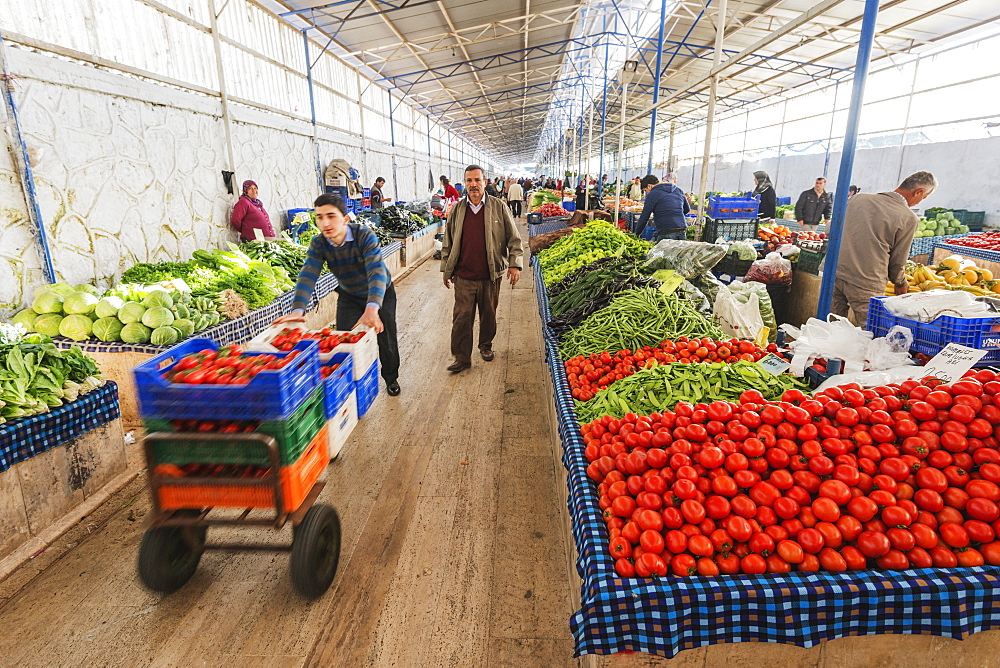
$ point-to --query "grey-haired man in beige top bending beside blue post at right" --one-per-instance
(878, 231)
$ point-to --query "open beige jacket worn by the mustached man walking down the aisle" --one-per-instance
(503, 242)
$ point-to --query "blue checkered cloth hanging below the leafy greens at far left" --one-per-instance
(26, 437)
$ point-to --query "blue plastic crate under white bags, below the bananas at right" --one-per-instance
(930, 337)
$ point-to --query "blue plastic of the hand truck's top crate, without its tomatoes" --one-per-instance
(270, 395)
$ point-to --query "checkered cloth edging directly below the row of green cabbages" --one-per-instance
(227, 332)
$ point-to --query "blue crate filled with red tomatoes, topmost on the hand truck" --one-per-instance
(198, 379)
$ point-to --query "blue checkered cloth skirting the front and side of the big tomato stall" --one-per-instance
(672, 614)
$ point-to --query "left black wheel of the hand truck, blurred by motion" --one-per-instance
(169, 556)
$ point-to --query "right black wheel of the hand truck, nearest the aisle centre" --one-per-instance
(316, 551)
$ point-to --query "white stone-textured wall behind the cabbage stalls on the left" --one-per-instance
(129, 171)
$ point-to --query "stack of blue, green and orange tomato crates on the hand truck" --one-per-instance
(218, 402)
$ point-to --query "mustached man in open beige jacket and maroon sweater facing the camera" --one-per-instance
(480, 244)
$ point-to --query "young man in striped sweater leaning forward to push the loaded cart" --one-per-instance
(365, 294)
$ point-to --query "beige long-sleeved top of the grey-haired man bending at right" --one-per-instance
(878, 231)
